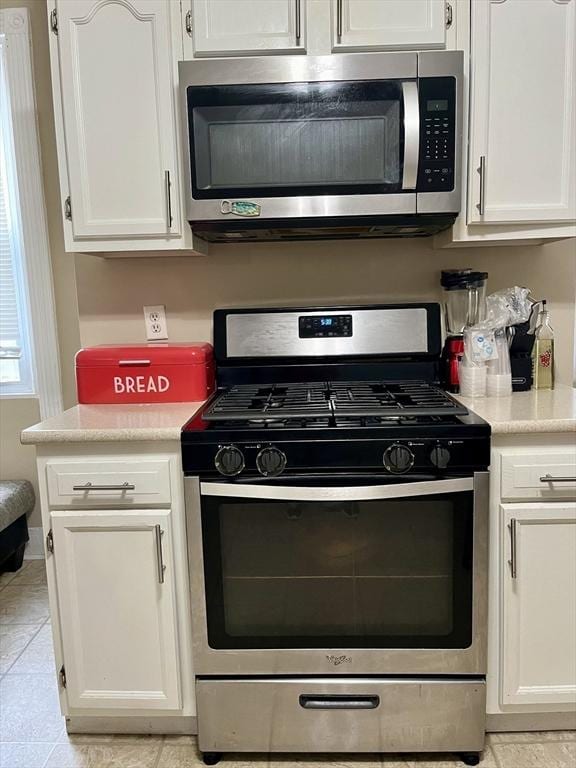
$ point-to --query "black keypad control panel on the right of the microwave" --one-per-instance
(437, 97)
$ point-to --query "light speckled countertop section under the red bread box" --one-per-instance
(102, 423)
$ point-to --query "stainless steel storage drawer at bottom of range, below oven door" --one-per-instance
(346, 715)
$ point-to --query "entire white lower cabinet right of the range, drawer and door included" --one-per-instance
(531, 678)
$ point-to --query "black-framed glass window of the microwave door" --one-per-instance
(296, 139)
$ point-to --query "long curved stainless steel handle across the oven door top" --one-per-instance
(337, 493)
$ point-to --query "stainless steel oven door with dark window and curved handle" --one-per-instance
(298, 578)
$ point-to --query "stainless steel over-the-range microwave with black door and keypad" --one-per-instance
(340, 146)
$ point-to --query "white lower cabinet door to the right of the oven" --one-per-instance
(538, 598)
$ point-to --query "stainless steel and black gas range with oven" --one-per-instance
(337, 505)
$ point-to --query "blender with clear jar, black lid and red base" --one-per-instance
(464, 305)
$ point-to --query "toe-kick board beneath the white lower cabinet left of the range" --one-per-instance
(174, 725)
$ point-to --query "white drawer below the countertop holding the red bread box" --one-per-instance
(110, 482)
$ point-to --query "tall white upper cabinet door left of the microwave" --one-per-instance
(116, 72)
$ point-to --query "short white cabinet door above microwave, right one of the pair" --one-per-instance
(388, 24)
